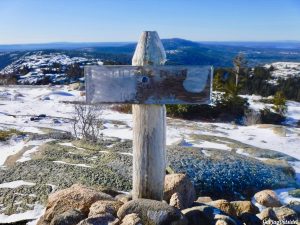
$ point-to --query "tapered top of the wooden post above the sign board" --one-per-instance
(149, 50)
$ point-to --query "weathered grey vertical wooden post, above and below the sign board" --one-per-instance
(149, 128)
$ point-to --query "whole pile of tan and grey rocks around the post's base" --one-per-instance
(86, 206)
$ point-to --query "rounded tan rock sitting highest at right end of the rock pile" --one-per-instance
(267, 198)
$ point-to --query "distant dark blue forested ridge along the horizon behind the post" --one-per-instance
(179, 52)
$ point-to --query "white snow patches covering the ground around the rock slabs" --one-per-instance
(18, 104)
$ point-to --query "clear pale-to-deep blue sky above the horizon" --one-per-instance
(39, 21)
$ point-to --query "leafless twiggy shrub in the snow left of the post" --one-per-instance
(87, 122)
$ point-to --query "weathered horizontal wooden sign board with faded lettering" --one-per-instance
(148, 84)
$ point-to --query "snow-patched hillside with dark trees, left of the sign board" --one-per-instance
(42, 68)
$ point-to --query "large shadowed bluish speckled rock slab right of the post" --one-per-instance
(226, 175)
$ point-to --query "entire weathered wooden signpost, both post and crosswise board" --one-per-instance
(148, 86)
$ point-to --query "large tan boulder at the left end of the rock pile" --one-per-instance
(76, 197)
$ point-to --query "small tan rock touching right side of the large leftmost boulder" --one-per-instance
(105, 206)
